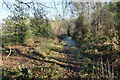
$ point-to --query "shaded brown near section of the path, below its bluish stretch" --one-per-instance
(74, 64)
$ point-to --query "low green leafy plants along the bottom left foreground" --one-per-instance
(22, 73)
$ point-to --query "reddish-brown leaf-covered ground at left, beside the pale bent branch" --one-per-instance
(19, 57)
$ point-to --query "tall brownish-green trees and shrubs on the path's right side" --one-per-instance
(104, 23)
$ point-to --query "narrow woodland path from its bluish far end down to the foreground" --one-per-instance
(73, 62)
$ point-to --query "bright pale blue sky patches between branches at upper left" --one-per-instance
(4, 11)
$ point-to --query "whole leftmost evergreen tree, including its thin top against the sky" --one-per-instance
(15, 26)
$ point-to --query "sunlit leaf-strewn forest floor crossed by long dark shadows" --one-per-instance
(45, 59)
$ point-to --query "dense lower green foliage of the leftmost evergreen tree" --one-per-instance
(14, 31)
